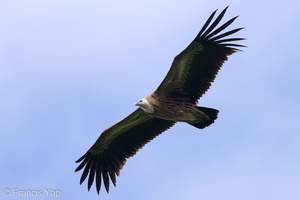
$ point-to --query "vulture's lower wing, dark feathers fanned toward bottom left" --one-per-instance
(104, 160)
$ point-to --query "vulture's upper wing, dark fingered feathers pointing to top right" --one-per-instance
(195, 68)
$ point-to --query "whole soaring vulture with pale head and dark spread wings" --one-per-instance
(175, 100)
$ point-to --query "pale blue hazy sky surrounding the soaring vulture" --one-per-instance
(69, 69)
